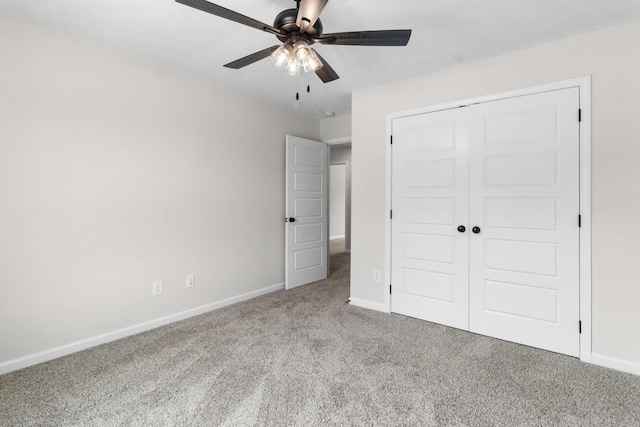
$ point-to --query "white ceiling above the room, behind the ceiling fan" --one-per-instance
(445, 33)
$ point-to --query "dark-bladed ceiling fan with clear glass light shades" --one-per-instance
(297, 29)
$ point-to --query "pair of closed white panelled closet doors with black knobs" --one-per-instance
(485, 228)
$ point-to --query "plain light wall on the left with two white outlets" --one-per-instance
(115, 173)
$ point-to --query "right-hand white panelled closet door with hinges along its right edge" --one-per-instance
(524, 197)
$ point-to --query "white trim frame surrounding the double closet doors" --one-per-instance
(584, 85)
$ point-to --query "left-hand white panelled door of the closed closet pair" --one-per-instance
(430, 200)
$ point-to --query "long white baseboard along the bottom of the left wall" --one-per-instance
(54, 353)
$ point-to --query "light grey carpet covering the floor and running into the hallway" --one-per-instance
(304, 357)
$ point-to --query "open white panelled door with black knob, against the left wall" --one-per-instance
(306, 211)
